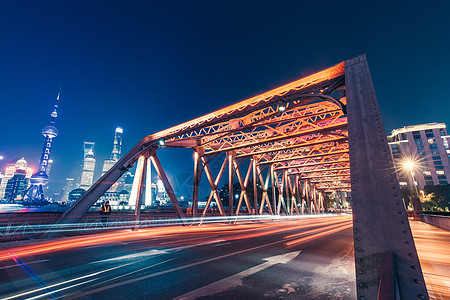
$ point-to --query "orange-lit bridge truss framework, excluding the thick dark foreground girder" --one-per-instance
(293, 138)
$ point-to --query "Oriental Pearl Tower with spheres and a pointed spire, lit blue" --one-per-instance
(35, 192)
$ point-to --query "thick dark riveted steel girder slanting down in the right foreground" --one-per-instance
(380, 222)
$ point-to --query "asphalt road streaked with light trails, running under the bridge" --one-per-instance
(299, 259)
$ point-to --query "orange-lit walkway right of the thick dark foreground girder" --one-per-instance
(433, 247)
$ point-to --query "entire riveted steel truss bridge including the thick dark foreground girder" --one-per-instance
(319, 134)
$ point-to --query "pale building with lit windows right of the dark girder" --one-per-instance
(421, 154)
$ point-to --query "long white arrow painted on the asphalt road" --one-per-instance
(236, 279)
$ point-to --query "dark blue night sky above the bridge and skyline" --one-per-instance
(150, 65)
